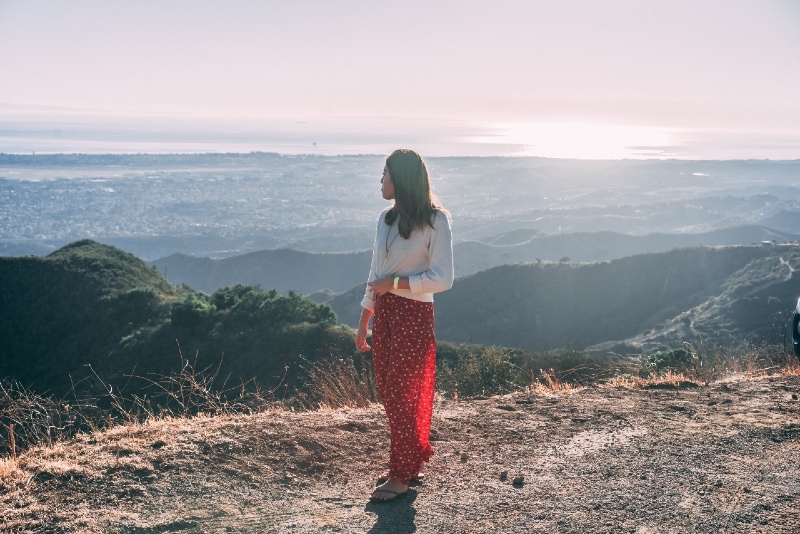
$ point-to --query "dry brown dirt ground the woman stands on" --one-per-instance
(719, 458)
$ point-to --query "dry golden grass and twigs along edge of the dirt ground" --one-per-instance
(28, 420)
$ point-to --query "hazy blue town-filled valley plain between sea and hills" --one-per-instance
(220, 205)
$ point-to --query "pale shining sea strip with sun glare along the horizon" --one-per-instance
(32, 131)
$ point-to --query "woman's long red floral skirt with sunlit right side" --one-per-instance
(404, 357)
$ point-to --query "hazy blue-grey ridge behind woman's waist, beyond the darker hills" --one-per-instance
(305, 272)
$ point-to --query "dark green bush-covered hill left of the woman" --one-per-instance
(91, 310)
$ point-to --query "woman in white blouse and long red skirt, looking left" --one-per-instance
(412, 259)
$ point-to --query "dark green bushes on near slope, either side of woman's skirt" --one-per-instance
(90, 319)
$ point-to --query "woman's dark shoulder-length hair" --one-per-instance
(415, 205)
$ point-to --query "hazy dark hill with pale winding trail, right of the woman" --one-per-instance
(655, 301)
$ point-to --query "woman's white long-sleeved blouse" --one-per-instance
(426, 258)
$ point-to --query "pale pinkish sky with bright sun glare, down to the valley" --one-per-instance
(658, 78)
